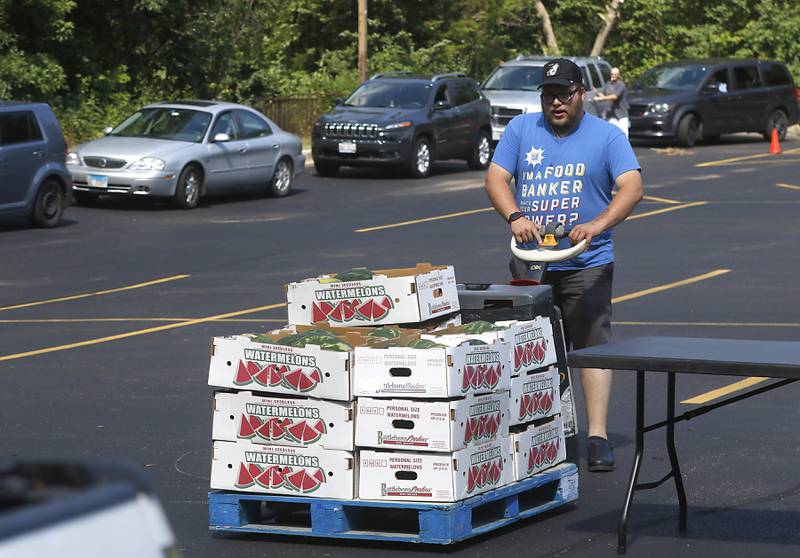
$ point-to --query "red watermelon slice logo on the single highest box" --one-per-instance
(343, 305)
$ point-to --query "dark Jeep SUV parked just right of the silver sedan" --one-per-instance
(405, 120)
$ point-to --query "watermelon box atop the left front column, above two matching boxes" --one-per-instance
(238, 362)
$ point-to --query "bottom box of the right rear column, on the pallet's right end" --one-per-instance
(538, 448)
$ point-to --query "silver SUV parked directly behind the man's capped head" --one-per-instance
(513, 87)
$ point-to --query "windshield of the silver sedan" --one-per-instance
(165, 123)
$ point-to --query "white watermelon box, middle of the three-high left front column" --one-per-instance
(283, 421)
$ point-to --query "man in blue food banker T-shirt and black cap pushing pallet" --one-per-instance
(565, 164)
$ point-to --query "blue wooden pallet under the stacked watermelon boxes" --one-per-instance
(397, 521)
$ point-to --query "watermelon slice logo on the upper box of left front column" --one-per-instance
(271, 370)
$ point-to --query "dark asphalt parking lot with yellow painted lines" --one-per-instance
(106, 322)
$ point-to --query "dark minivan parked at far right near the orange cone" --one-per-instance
(701, 99)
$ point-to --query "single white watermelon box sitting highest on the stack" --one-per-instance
(392, 296)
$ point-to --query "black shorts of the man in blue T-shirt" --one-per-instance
(584, 297)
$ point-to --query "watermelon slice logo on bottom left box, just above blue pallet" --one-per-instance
(292, 473)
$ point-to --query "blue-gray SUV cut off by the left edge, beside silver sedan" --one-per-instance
(33, 179)
